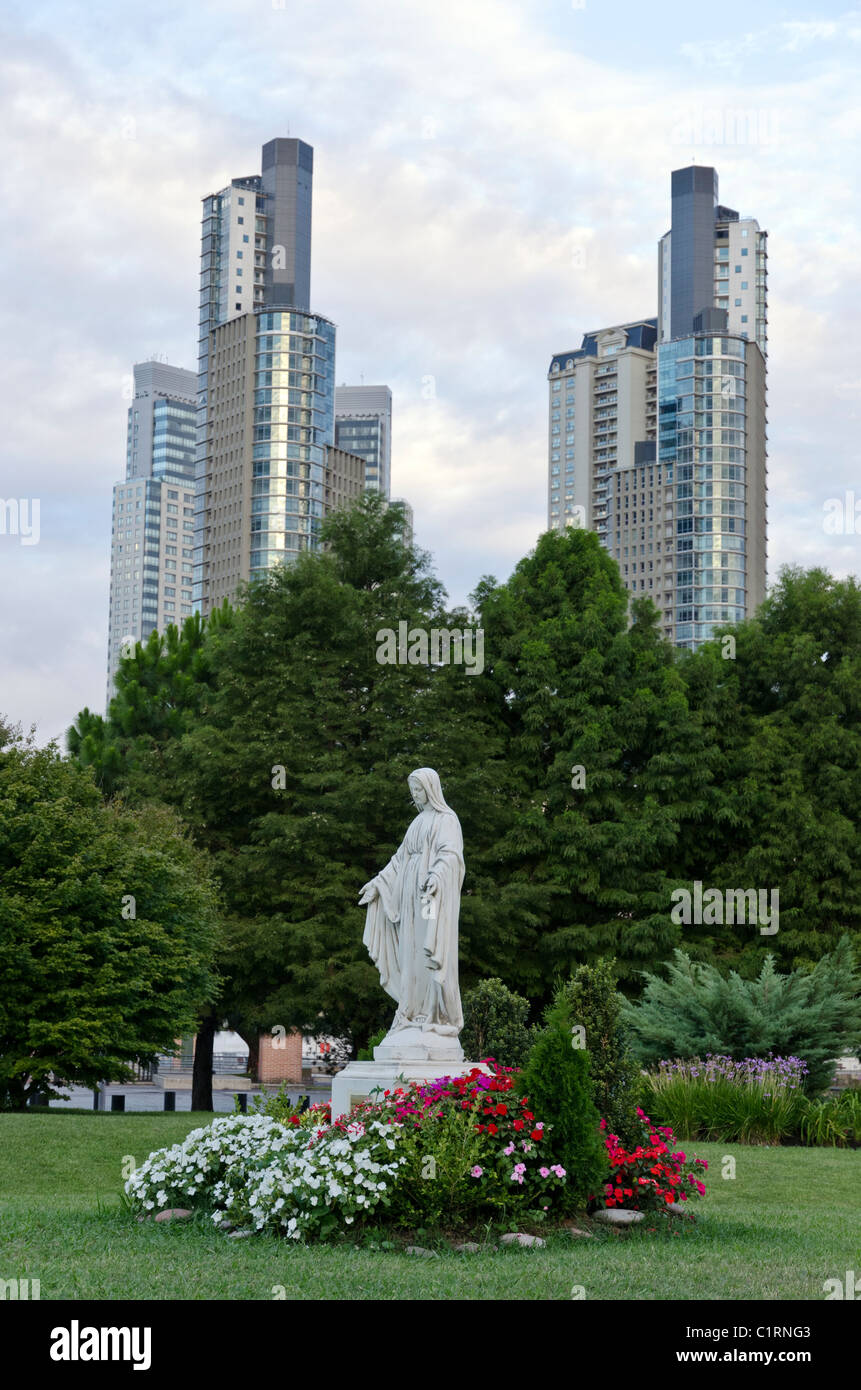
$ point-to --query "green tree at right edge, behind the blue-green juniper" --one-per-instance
(787, 799)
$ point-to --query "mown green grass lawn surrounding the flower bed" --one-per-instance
(789, 1221)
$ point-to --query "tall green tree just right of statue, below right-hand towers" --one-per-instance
(609, 757)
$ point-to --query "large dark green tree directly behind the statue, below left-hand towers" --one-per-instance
(291, 771)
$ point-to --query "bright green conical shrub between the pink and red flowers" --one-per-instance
(557, 1081)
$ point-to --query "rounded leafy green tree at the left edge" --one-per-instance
(108, 928)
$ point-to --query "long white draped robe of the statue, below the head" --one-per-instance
(418, 956)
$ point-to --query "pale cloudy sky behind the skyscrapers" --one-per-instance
(490, 183)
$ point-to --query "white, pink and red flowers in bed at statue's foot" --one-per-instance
(450, 1153)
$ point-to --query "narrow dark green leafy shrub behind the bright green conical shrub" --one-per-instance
(615, 1077)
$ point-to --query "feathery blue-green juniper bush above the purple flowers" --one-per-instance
(814, 1015)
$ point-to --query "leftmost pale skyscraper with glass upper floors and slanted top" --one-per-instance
(154, 511)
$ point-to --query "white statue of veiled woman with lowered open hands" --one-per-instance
(411, 931)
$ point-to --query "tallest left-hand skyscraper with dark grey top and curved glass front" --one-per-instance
(268, 469)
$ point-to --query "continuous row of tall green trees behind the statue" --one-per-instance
(595, 769)
